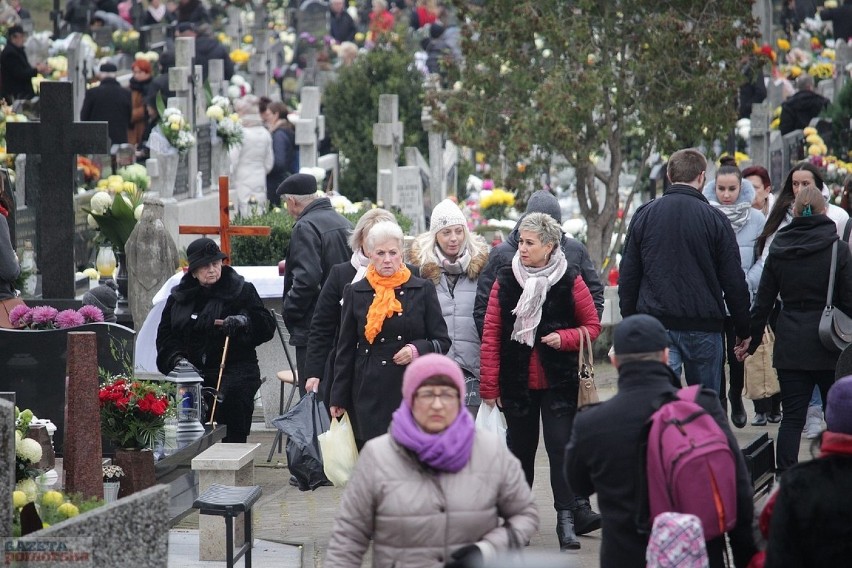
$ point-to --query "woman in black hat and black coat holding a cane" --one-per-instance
(187, 333)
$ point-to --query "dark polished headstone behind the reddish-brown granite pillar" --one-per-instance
(33, 366)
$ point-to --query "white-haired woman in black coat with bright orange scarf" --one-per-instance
(389, 318)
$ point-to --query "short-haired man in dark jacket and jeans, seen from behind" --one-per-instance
(681, 264)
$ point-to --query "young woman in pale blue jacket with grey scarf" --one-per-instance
(733, 196)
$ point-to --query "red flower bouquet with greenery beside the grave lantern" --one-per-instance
(133, 412)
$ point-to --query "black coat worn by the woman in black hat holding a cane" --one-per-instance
(197, 339)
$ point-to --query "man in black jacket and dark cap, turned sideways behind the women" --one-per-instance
(320, 239)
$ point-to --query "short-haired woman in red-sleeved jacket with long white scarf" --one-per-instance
(530, 341)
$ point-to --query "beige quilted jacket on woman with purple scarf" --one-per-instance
(418, 517)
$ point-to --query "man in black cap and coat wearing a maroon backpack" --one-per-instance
(605, 452)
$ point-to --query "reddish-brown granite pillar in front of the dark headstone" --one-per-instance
(81, 461)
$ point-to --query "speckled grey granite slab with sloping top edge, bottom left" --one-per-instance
(129, 532)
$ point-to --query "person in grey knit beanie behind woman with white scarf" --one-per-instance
(541, 201)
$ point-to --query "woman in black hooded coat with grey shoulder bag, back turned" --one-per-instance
(797, 268)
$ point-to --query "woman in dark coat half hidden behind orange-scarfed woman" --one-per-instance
(325, 325)
